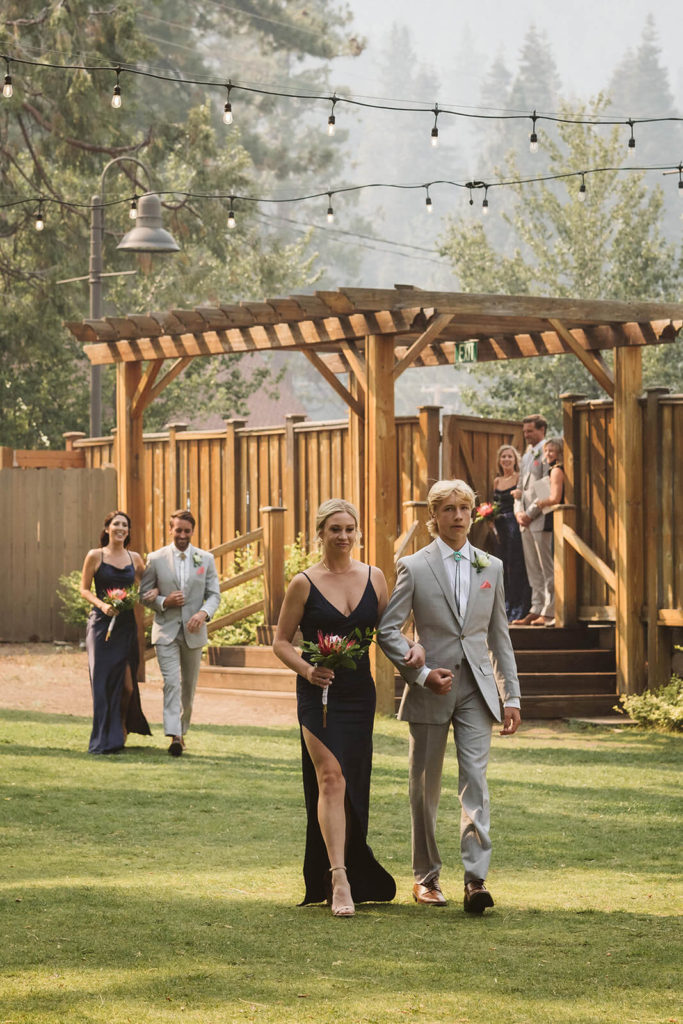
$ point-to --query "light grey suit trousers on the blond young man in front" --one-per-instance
(473, 722)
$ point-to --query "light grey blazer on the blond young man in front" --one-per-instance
(483, 638)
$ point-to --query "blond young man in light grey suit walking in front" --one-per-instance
(456, 594)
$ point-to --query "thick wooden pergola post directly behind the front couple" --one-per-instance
(381, 487)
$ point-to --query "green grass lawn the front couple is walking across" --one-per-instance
(140, 888)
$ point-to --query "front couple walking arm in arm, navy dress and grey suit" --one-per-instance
(453, 676)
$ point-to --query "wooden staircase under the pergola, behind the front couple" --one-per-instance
(564, 673)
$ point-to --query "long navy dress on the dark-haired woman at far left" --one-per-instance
(108, 661)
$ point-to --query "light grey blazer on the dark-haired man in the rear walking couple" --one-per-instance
(202, 594)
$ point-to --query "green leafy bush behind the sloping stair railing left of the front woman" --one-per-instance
(243, 633)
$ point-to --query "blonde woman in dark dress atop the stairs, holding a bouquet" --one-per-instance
(518, 590)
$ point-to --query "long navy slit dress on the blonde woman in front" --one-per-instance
(349, 735)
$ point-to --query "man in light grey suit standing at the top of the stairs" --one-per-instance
(536, 530)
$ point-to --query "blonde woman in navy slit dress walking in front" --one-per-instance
(330, 602)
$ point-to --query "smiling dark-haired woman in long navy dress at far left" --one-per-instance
(112, 647)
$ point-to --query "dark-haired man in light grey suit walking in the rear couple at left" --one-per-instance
(181, 583)
